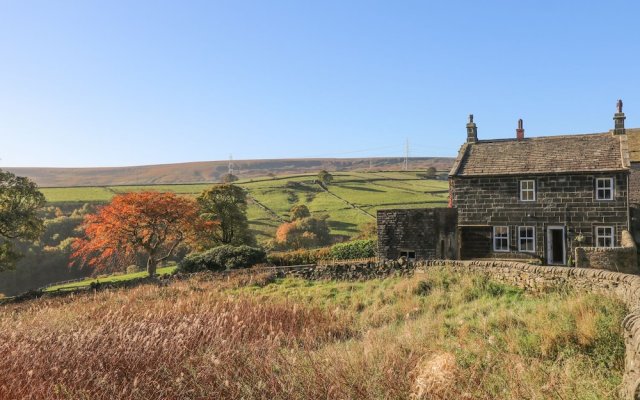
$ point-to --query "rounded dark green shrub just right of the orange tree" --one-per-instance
(221, 258)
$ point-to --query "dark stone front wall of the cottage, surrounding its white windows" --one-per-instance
(566, 200)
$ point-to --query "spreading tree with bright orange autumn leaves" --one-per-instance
(149, 225)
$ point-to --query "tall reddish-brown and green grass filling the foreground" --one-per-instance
(441, 336)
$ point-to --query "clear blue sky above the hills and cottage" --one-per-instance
(103, 83)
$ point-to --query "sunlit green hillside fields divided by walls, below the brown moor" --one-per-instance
(352, 200)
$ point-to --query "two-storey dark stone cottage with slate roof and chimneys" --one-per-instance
(535, 197)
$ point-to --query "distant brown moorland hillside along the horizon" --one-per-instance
(212, 171)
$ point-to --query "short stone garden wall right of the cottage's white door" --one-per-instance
(620, 259)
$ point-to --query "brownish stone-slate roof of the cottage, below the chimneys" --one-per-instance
(548, 154)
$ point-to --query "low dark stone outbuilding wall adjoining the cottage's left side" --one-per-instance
(429, 232)
